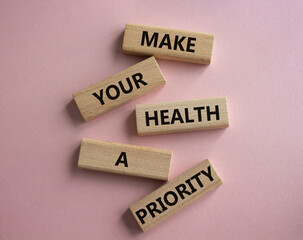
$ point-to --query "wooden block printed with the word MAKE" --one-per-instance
(171, 44)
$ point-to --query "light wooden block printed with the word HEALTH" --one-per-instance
(193, 115)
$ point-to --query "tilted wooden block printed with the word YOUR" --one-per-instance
(118, 89)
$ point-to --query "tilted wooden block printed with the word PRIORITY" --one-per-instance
(175, 195)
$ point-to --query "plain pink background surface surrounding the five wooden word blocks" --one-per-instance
(51, 49)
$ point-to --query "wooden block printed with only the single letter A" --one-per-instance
(125, 159)
